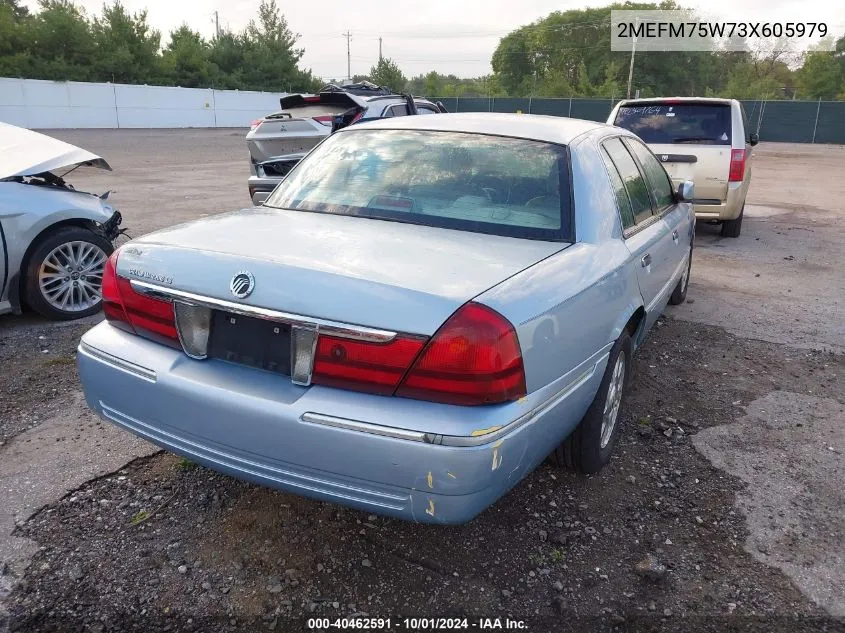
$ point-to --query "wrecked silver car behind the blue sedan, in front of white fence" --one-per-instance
(278, 141)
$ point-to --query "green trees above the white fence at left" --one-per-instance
(60, 41)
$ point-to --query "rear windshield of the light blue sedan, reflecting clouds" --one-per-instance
(474, 182)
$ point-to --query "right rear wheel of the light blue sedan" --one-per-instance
(582, 451)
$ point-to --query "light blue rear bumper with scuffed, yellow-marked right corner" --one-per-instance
(249, 424)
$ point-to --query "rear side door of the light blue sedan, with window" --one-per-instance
(645, 233)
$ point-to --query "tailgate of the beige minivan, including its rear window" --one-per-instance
(691, 138)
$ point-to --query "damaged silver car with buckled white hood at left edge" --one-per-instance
(54, 240)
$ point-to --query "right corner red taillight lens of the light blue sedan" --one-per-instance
(474, 358)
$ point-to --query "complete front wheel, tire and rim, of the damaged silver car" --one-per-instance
(43, 287)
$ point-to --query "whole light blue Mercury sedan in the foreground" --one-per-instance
(423, 311)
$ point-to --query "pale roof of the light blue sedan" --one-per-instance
(552, 129)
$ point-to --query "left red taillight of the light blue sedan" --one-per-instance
(122, 305)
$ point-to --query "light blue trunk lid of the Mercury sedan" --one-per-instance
(373, 273)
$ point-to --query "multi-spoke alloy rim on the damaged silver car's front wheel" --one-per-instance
(71, 275)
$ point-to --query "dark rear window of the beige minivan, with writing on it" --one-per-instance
(697, 123)
